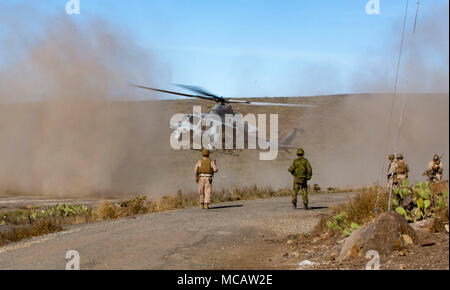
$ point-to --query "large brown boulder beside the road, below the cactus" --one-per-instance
(386, 233)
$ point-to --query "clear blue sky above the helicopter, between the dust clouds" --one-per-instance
(252, 47)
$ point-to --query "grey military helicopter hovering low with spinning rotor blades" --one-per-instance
(222, 109)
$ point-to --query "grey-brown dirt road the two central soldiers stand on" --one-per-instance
(234, 235)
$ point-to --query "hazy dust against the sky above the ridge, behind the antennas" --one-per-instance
(424, 66)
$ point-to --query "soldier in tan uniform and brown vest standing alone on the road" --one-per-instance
(203, 174)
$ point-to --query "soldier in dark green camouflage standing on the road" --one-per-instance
(302, 172)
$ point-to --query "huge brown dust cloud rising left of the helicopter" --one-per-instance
(66, 124)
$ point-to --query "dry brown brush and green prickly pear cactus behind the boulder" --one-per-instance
(415, 203)
